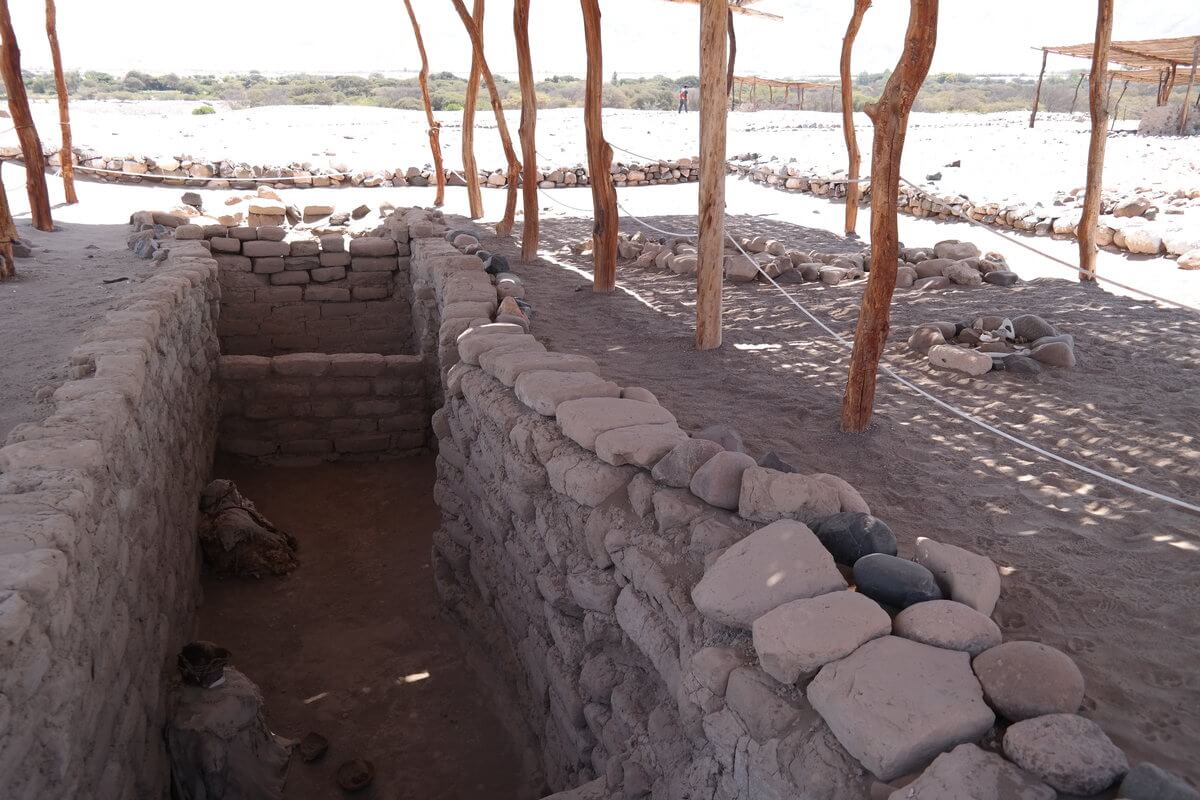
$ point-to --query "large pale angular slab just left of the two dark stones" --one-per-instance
(775, 566)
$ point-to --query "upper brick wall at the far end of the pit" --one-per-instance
(310, 294)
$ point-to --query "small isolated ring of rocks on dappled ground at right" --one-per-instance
(1022, 345)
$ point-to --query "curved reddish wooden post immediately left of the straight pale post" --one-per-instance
(604, 194)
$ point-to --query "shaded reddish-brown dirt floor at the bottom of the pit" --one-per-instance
(344, 645)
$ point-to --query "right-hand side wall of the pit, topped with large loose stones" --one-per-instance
(674, 627)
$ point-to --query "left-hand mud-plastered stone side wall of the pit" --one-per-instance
(99, 567)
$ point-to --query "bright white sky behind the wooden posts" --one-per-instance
(640, 37)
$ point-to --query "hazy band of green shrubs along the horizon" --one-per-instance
(941, 93)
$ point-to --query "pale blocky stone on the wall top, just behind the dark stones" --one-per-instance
(769, 495)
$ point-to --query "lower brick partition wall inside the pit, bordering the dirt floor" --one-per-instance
(315, 406)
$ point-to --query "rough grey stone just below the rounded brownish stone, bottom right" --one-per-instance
(1067, 751)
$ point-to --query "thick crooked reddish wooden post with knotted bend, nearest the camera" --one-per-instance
(891, 118)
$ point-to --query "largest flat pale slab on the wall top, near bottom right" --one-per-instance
(896, 705)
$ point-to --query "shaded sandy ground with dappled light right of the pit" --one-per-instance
(1097, 572)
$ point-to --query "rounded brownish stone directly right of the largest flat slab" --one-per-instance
(1029, 679)
